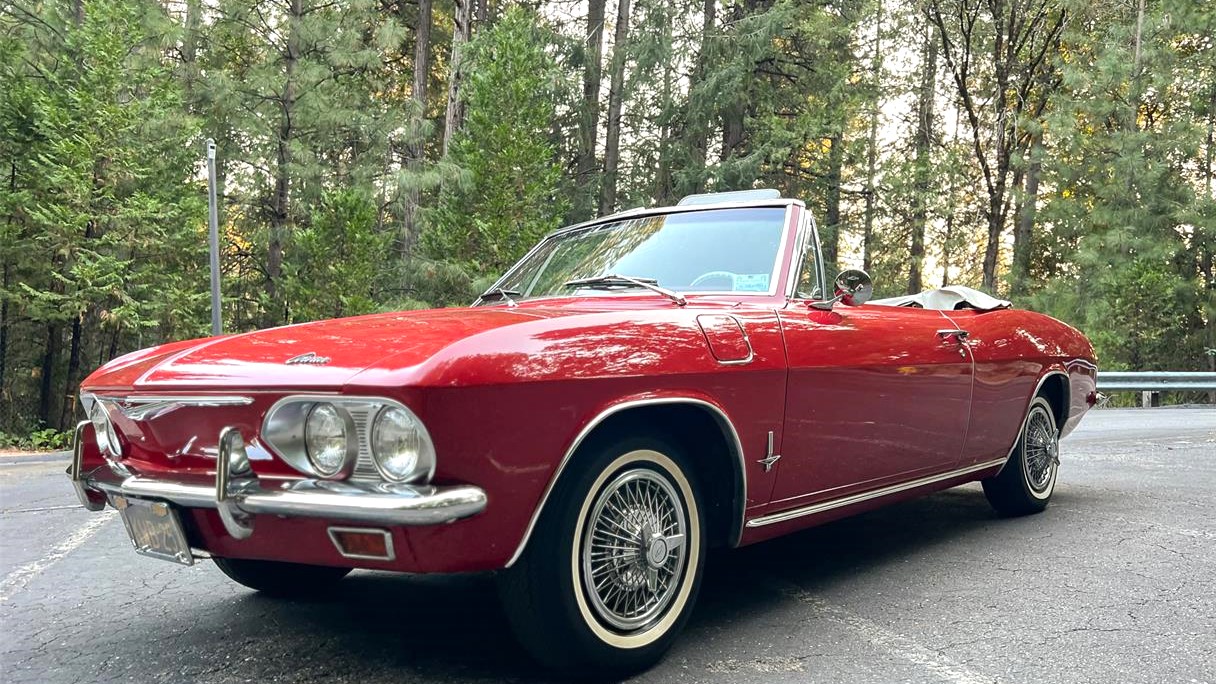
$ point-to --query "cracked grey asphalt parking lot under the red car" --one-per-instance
(1117, 582)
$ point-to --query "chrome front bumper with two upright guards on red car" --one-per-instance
(239, 495)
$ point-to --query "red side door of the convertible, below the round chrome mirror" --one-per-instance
(875, 395)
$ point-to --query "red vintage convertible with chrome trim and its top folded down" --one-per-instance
(635, 391)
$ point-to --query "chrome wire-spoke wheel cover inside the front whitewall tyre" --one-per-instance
(633, 550)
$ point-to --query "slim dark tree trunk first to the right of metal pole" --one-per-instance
(280, 215)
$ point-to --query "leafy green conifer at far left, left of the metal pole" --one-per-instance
(100, 214)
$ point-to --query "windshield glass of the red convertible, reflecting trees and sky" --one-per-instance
(712, 251)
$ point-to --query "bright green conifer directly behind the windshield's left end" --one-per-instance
(509, 195)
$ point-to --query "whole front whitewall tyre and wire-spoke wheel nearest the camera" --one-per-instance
(613, 568)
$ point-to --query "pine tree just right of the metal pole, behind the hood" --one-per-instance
(302, 86)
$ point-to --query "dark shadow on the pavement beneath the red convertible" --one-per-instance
(385, 627)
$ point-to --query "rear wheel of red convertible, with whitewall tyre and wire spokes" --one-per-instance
(1024, 486)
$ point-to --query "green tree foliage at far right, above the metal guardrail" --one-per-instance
(1124, 220)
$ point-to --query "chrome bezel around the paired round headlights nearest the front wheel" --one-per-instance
(284, 431)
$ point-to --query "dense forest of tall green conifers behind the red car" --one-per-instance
(380, 155)
